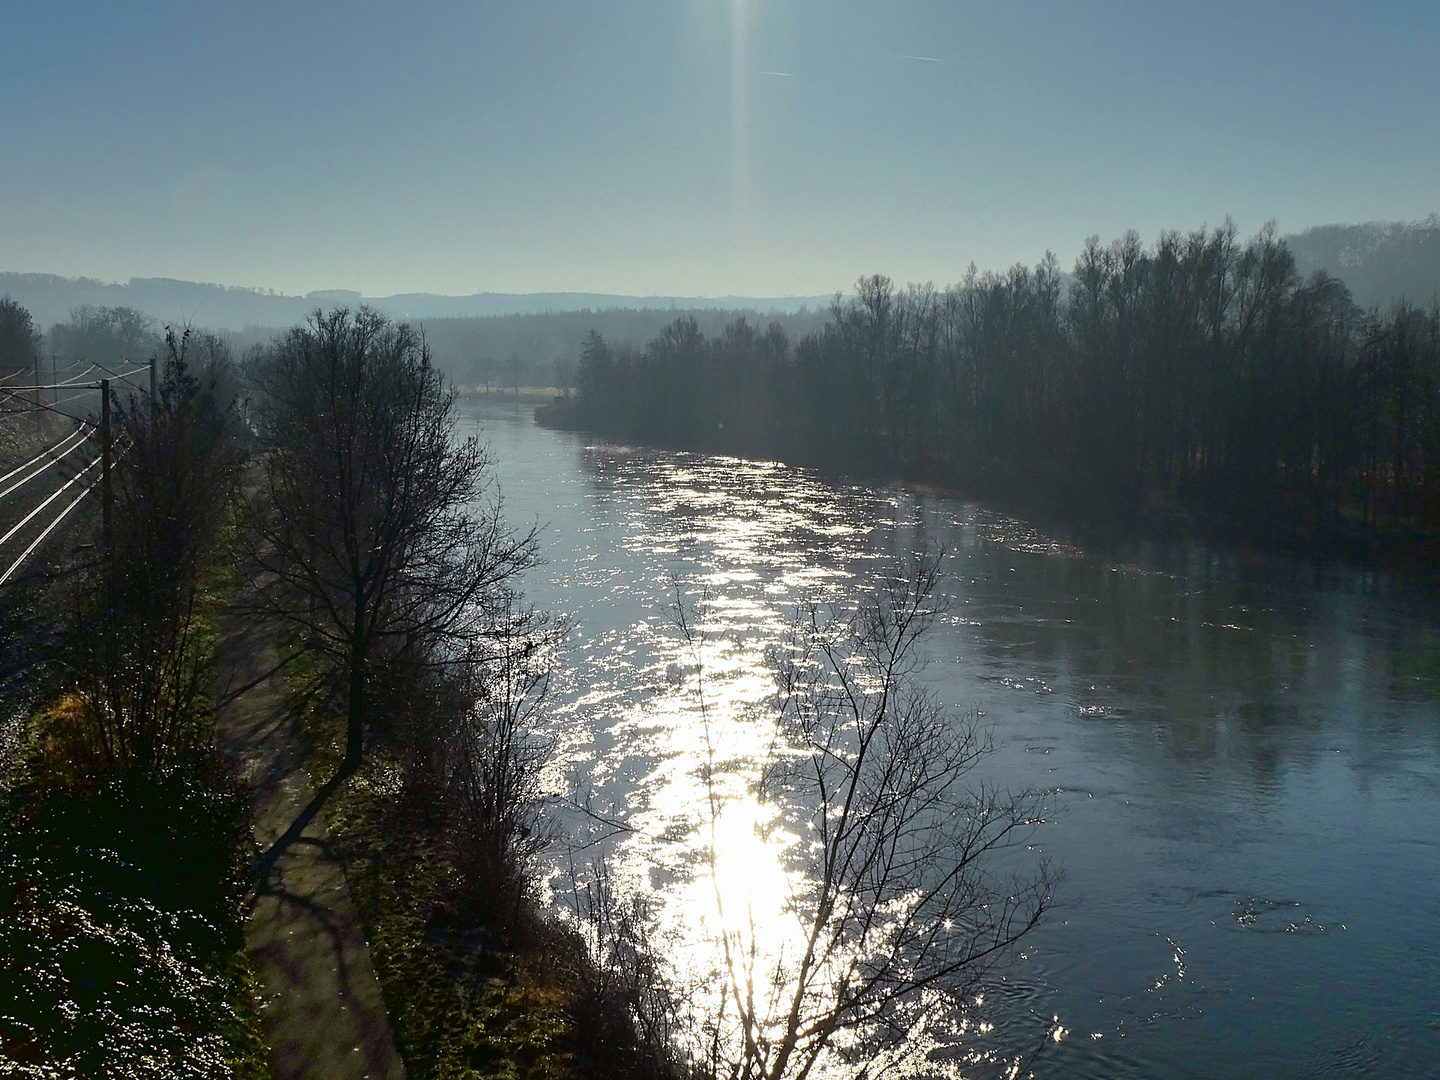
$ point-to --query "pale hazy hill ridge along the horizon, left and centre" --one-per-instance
(225, 307)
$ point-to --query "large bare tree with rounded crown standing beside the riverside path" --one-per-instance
(379, 532)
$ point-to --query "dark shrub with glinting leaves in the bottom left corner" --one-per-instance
(120, 927)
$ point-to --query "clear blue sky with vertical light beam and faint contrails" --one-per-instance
(689, 148)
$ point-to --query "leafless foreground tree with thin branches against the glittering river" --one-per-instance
(898, 892)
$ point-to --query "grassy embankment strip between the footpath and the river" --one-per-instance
(469, 994)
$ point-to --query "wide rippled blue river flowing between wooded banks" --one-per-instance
(1242, 755)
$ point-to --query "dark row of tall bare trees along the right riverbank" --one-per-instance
(1200, 375)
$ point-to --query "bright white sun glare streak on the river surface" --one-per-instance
(721, 862)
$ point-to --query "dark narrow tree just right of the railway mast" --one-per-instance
(140, 650)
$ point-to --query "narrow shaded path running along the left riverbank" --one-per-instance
(323, 1009)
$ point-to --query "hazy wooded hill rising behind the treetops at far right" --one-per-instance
(1380, 261)
